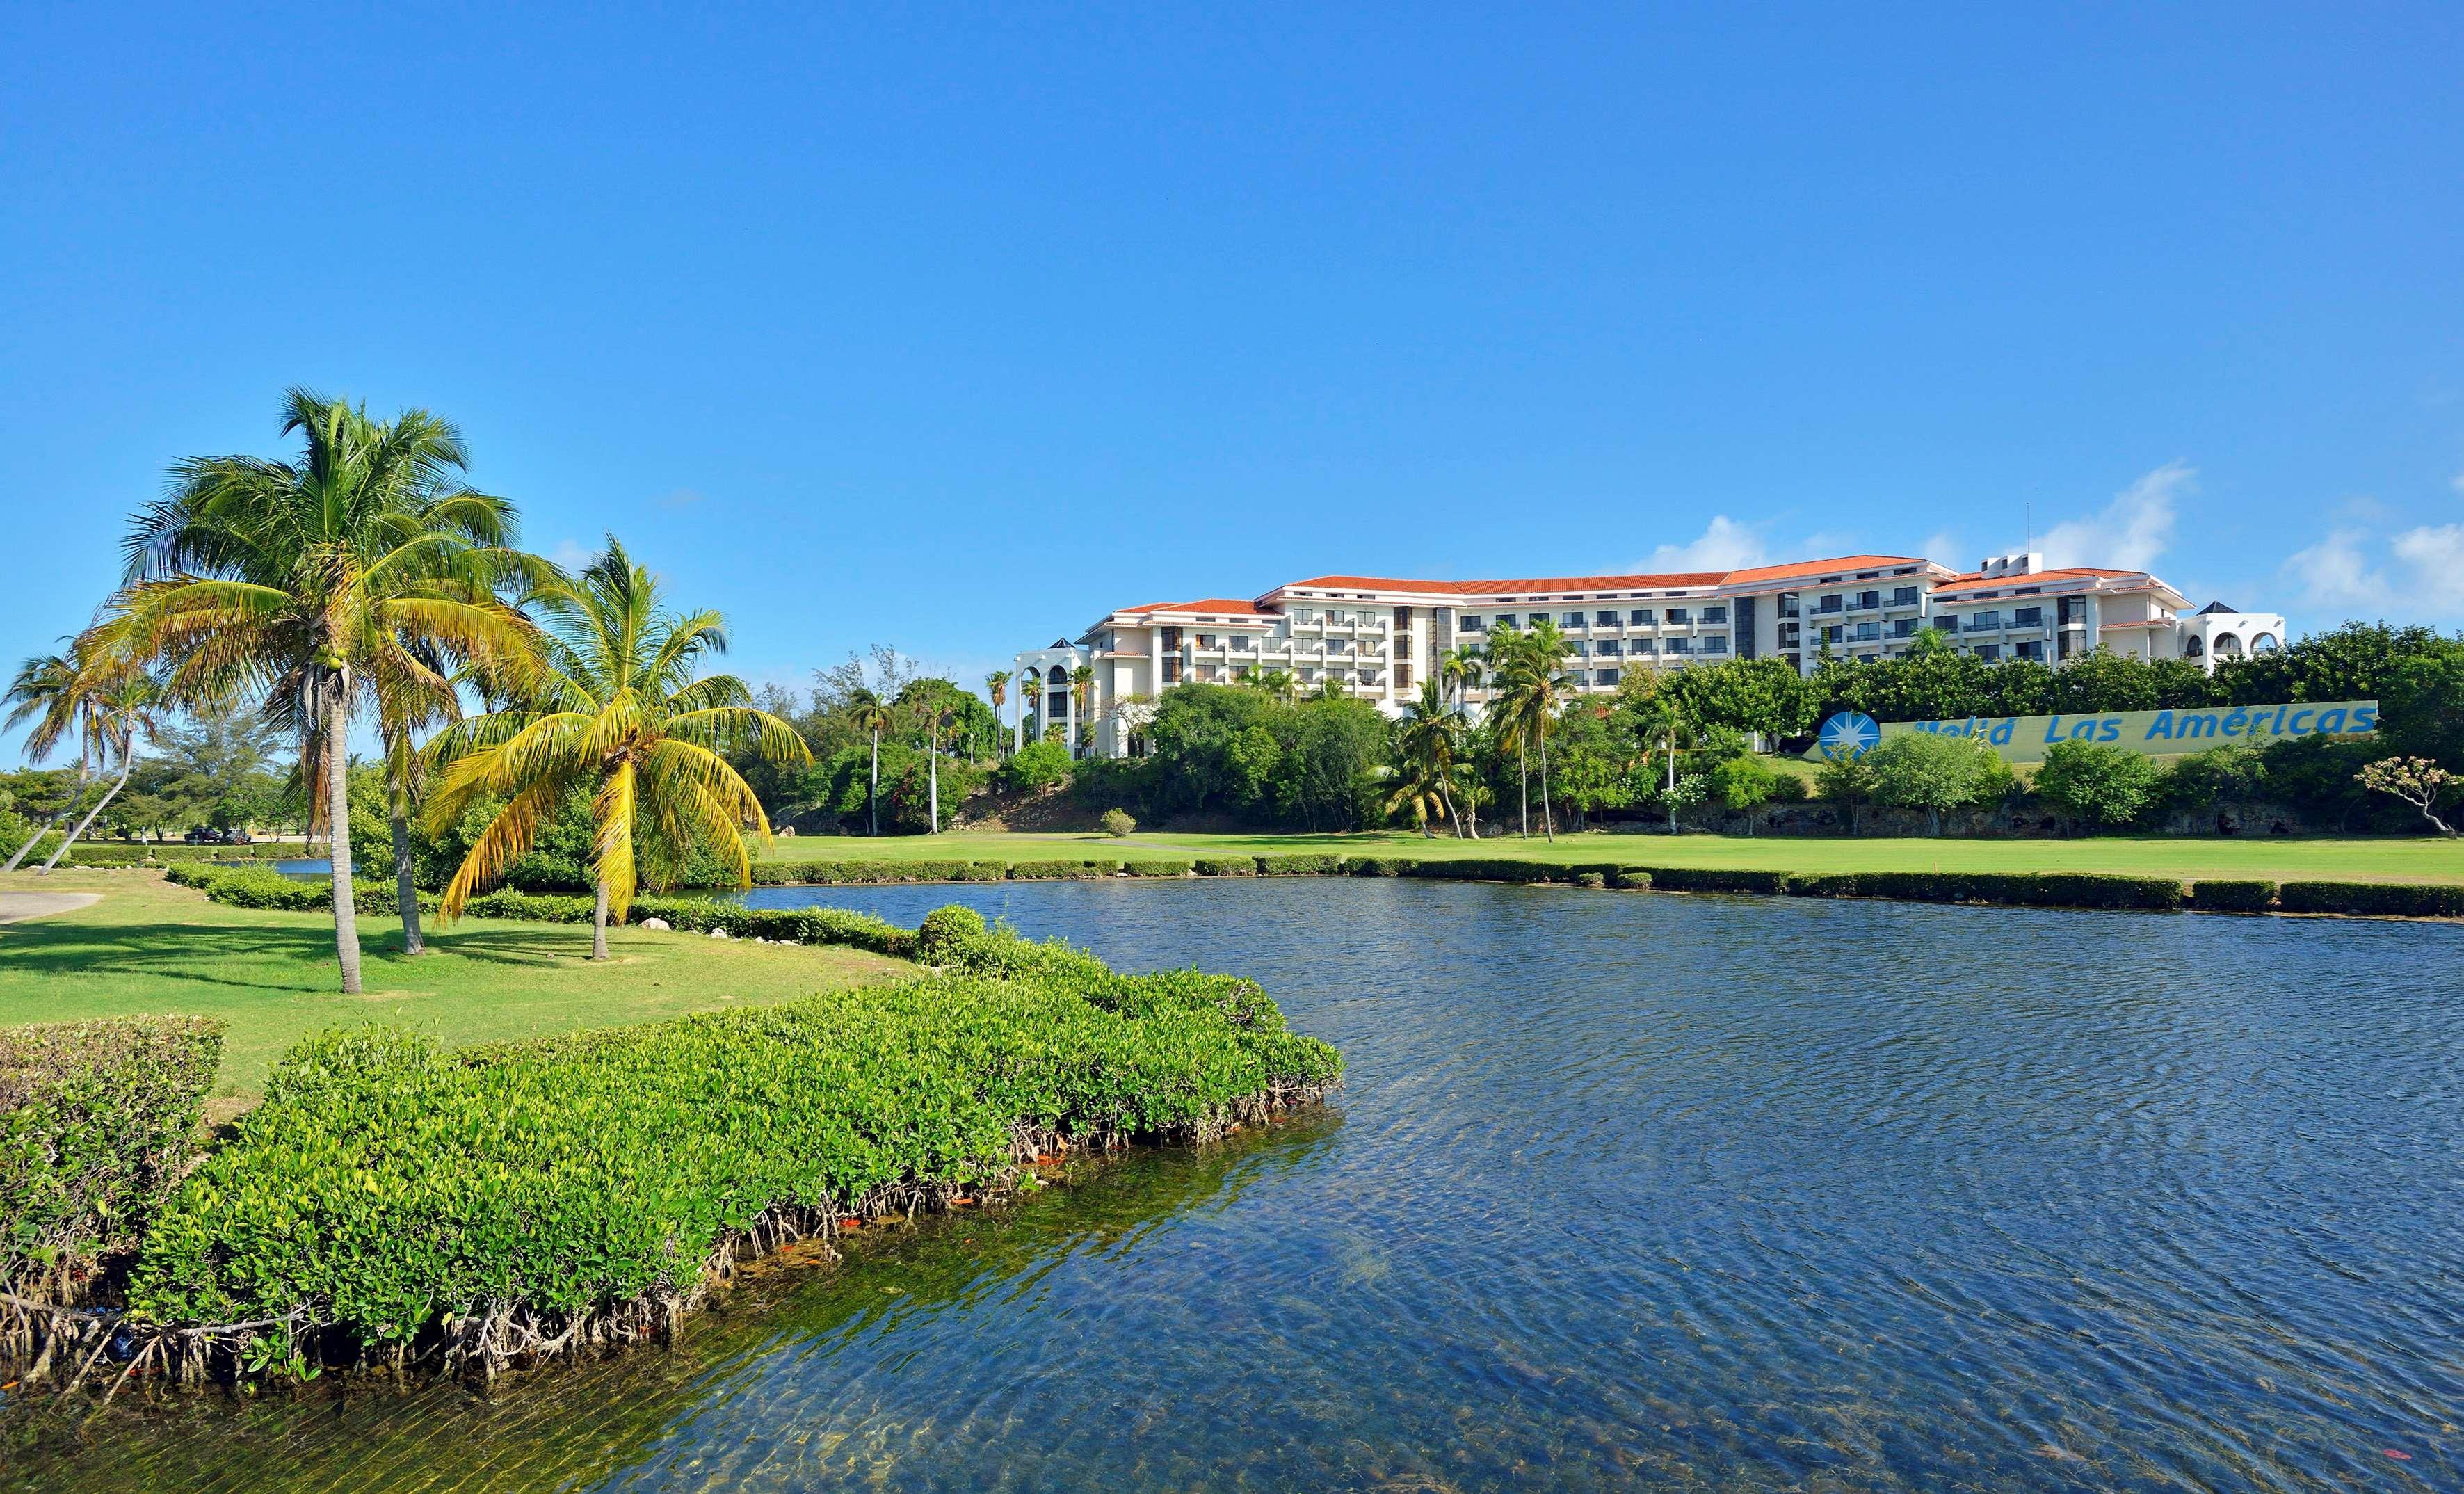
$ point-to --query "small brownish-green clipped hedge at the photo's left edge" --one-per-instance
(97, 1123)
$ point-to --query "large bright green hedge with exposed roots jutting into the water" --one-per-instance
(395, 1194)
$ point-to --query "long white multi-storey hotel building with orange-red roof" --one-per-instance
(1381, 637)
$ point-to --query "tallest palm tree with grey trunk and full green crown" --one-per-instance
(317, 583)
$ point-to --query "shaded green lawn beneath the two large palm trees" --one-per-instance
(152, 948)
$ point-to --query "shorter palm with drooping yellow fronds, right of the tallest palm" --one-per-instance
(622, 714)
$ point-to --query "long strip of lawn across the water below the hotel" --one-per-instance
(2409, 859)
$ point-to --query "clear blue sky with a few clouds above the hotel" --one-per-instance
(952, 329)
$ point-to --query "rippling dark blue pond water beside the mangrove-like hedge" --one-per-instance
(1627, 1190)
